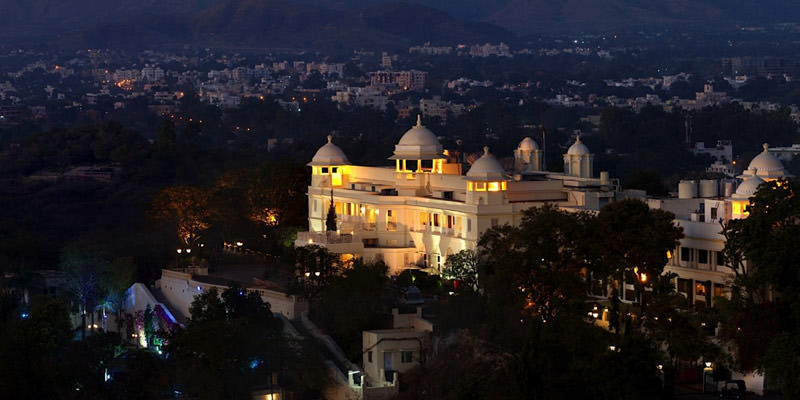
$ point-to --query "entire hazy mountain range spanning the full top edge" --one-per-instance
(356, 23)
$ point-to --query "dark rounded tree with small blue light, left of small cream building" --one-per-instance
(231, 343)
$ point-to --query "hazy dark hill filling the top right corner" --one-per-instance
(536, 16)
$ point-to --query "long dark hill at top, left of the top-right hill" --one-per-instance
(283, 24)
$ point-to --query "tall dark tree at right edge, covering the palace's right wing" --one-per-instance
(763, 316)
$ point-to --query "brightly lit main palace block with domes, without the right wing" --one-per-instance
(421, 207)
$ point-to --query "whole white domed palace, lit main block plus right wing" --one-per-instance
(423, 208)
